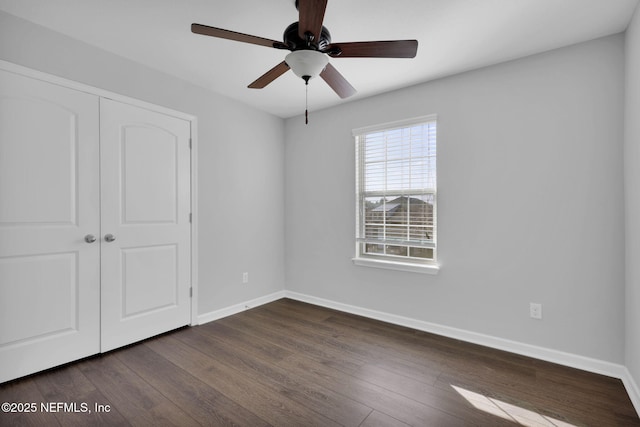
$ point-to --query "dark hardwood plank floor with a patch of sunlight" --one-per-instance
(292, 364)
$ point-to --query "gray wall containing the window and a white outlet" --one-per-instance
(530, 202)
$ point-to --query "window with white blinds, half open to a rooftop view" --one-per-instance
(396, 194)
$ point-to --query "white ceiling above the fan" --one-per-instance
(453, 36)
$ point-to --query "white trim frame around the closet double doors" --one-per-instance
(193, 120)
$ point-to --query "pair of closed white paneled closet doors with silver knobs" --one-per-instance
(95, 231)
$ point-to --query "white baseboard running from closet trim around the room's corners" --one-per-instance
(567, 359)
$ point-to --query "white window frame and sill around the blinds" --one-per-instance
(402, 262)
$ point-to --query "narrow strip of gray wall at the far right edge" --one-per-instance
(632, 197)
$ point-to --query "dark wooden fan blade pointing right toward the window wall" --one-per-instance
(381, 49)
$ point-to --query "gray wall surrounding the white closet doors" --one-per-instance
(240, 163)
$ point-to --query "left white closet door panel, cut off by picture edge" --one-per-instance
(49, 211)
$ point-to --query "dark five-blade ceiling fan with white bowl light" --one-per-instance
(310, 45)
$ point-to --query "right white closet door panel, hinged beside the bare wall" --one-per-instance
(146, 231)
